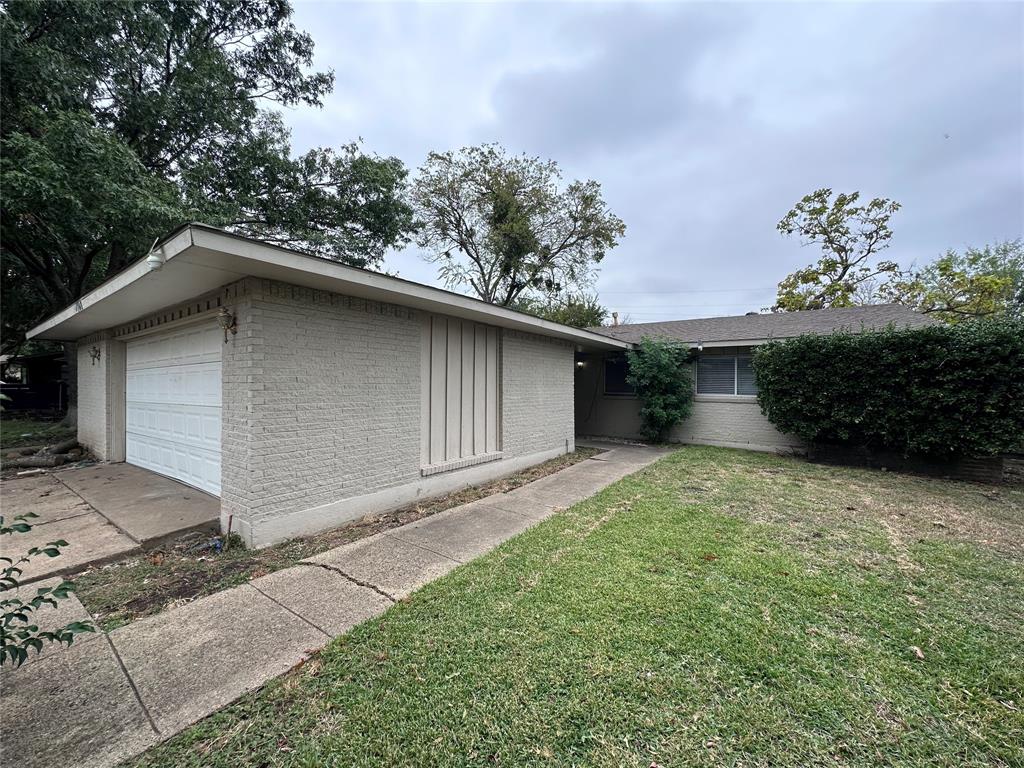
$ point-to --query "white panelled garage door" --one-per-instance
(173, 402)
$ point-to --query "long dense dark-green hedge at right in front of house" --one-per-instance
(942, 391)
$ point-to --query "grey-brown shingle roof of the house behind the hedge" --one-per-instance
(775, 326)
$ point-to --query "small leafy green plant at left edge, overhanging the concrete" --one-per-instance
(19, 633)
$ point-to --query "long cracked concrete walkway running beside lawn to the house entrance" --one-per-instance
(110, 697)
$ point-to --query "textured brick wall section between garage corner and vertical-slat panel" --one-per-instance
(322, 401)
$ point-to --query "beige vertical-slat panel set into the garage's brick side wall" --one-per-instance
(461, 395)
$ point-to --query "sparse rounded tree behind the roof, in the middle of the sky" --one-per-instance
(505, 228)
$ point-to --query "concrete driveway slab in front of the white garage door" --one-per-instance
(104, 513)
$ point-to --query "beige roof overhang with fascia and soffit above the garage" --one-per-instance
(196, 260)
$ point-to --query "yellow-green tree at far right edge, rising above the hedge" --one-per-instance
(978, 283)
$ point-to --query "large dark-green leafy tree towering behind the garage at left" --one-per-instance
(122, 120)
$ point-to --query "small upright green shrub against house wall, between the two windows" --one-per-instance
(660, 371)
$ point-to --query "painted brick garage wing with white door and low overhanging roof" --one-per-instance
(304, 393)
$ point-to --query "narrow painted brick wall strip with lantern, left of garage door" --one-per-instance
(102, 397)
